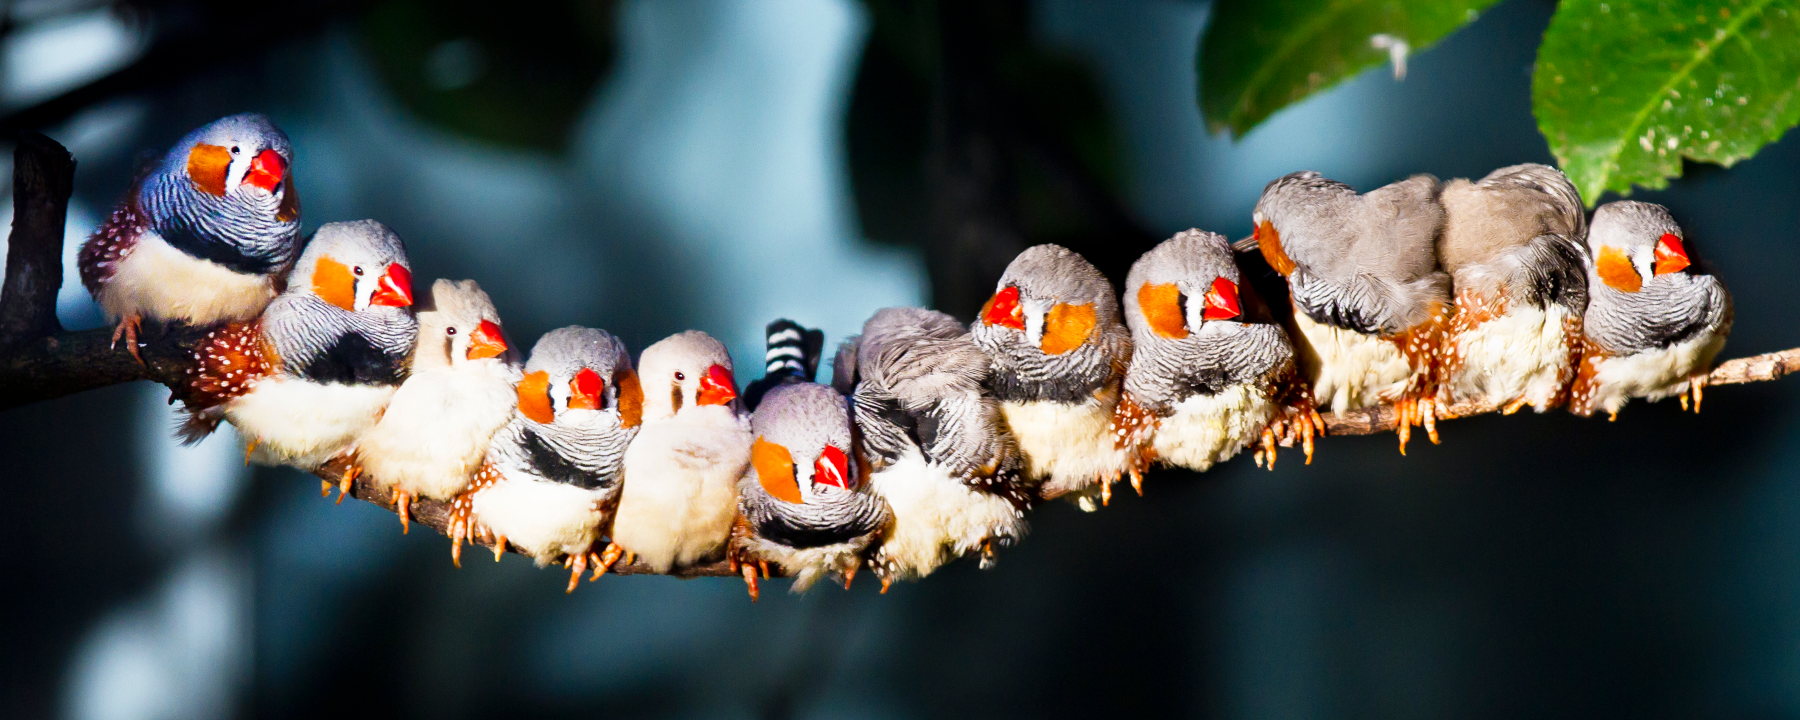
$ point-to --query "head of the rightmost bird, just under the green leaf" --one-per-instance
(1635, 244)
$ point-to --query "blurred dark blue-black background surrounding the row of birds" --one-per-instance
(651, 166)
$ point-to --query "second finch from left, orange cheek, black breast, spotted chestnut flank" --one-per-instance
(318, 370)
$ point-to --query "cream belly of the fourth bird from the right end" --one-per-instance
(1212, 429)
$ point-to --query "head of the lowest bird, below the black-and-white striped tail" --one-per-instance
(804, 445)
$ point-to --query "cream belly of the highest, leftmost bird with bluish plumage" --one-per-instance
(163, 283)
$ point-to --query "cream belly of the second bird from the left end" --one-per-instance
(305, 424)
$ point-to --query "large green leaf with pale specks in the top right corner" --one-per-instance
(1626, 89)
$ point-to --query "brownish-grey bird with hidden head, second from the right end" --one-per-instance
(1513, 246)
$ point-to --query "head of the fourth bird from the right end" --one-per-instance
(1180, 287)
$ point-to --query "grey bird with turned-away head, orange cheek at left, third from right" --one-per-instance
(1371, 301)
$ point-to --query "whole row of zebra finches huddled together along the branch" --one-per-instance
(931, 440)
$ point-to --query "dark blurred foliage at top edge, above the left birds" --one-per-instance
(507, 76)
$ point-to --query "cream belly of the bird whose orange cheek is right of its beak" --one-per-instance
(1068, 447)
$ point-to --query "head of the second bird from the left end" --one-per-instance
(359, 267)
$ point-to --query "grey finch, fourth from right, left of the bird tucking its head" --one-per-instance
(1212, 372)
